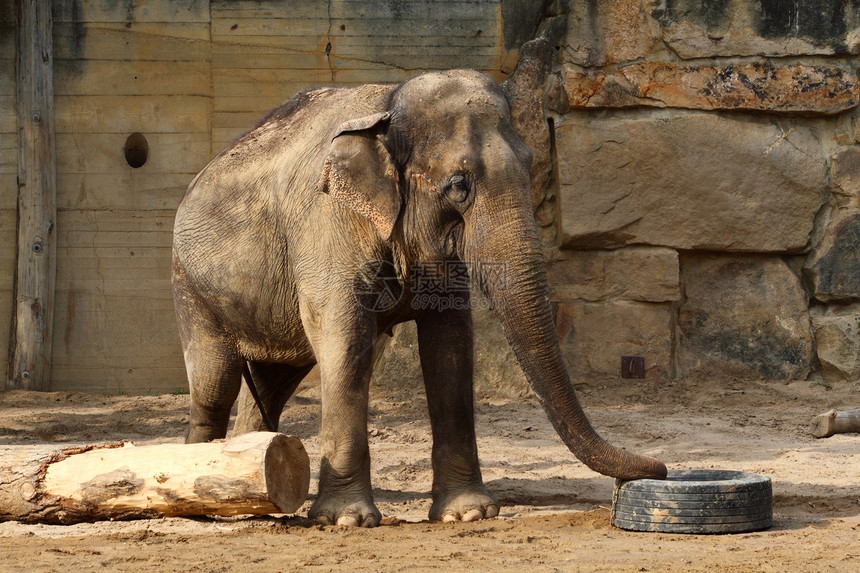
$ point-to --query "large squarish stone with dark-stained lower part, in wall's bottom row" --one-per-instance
(745, 316)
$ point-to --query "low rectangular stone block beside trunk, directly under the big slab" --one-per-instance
(645, 274)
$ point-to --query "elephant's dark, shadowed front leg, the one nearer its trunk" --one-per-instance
(445, 343)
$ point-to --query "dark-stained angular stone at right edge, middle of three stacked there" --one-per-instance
(834, 268)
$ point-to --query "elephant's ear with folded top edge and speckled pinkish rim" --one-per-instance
(359, 172)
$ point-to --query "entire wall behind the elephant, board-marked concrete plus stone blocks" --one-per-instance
(696, 183)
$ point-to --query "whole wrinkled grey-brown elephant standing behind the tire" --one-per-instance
(340, 191)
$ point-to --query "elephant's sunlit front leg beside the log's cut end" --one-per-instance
(344, 353)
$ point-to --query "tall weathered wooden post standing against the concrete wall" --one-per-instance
(30, 347)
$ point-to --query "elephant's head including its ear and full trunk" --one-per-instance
(442, 173)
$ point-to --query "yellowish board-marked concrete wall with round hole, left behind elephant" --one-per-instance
(190, 76)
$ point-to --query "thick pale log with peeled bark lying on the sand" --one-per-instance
(256, 474)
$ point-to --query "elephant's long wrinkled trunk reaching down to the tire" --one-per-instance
(521, 300)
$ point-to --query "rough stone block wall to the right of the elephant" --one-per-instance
(706, 207)
